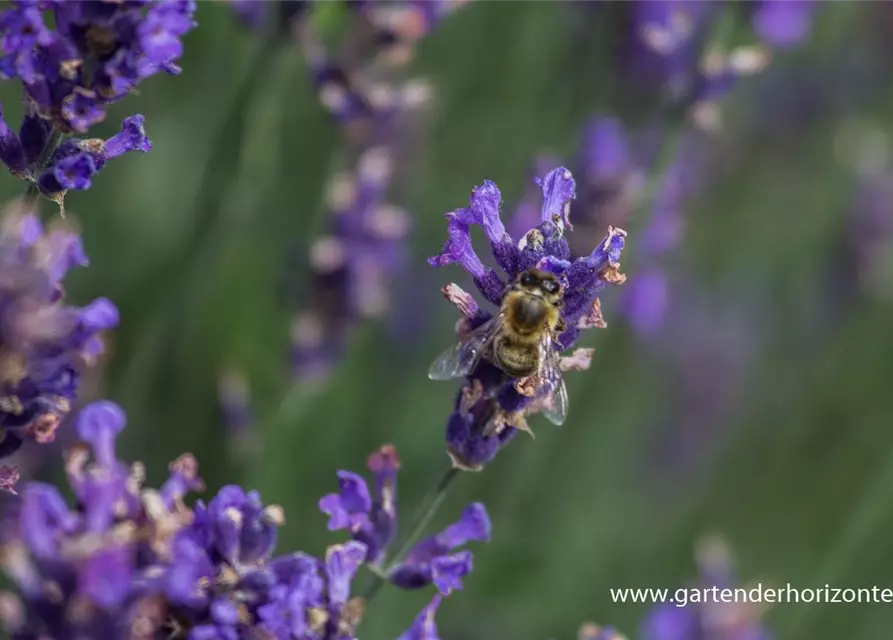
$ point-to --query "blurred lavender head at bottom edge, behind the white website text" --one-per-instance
(709, 620)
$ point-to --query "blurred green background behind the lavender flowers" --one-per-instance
(795, 469)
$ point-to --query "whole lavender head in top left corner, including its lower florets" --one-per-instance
(90, 57)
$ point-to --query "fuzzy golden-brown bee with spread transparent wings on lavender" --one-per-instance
(520, 340)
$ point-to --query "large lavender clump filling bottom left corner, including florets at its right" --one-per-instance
(128, 561)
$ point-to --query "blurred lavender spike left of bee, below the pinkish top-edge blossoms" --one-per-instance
(355, 260)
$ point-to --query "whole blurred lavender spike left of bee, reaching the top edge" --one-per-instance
(355, 262)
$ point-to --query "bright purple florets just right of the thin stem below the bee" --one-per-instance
(435, 559)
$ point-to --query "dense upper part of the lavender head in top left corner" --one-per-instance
(95, 53)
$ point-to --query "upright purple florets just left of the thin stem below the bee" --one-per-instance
(370, 518)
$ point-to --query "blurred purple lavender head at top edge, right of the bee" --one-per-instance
(678, 46)
